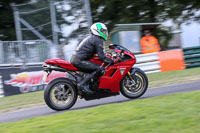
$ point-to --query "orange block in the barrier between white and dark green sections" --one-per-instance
(171, 60)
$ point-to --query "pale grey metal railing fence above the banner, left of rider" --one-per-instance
(12, 52)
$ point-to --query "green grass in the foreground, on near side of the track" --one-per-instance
(177, 113)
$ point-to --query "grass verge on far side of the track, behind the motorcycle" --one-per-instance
(29, 100)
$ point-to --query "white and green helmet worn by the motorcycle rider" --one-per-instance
(99, 29)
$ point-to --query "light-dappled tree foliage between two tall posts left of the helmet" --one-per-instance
(75, 26)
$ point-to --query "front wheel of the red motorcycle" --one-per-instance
(134, 85)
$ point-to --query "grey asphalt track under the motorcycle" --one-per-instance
(81, 104)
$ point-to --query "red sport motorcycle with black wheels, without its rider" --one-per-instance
(61, 93)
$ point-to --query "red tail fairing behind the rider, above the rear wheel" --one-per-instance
(61, 63)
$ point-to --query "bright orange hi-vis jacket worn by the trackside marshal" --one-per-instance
(149, 44)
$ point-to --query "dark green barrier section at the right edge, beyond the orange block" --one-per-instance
(192, 56)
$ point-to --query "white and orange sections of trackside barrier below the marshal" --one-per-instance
(171, 60)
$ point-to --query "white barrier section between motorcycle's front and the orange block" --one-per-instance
(148, 62)
